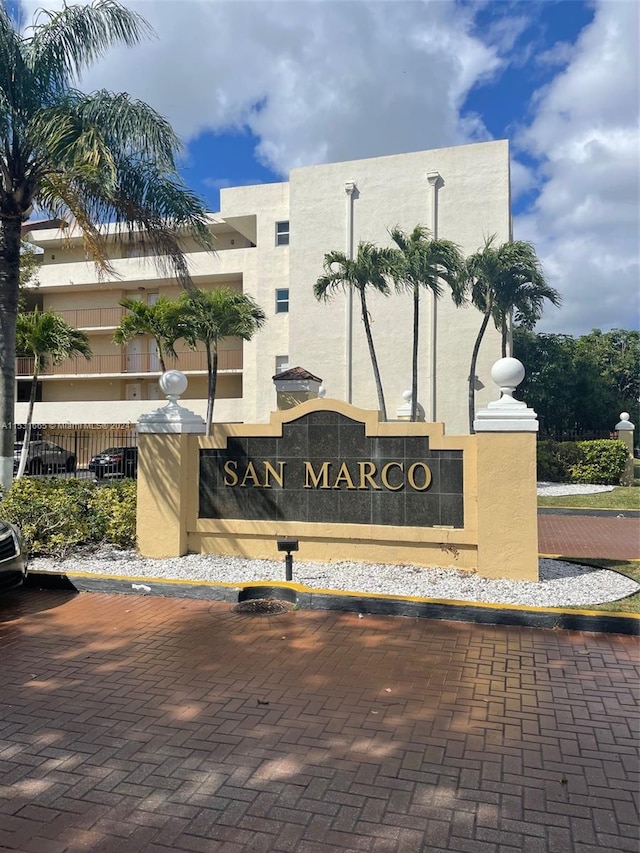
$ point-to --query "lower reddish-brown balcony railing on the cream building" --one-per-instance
(130, 364)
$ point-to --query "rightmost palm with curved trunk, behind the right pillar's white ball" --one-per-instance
(498, 280)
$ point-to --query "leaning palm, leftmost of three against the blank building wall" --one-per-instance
(369, 270)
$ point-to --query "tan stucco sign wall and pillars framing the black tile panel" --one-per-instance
(498, 538)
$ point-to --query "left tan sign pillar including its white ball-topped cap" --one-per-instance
(166, 471)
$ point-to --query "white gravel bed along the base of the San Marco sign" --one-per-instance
(560, 584)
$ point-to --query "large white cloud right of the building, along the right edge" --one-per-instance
(585, 223)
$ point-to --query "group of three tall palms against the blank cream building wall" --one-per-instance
(502, 281)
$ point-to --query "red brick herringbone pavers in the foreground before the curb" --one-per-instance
(149, 725)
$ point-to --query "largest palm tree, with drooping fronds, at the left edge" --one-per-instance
(85, 159)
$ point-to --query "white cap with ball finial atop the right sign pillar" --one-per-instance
(506, 414)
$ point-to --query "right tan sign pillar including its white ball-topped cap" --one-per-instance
(507, 495)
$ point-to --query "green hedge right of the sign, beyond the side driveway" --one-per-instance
(600, 461)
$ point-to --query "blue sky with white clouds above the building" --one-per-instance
(256, 87)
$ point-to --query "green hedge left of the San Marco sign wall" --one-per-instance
(58, 515)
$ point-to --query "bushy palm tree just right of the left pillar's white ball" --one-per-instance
(208, 316)
